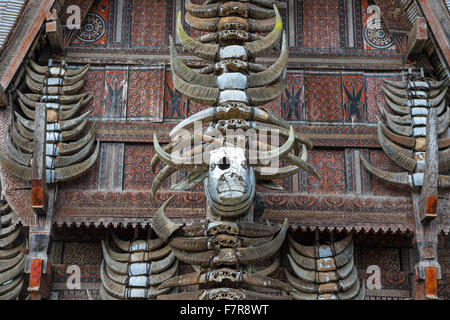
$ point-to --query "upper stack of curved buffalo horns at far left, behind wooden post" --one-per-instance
(70, 139)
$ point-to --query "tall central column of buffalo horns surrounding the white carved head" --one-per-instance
(235, 87)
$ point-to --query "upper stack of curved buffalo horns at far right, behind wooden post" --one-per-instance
(404, 136)
